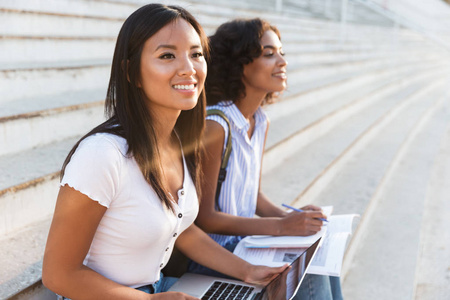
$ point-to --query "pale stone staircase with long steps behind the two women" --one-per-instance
(362, 126)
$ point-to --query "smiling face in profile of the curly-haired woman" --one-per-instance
(267, 73)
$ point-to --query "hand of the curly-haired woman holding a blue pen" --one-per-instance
(301, 223)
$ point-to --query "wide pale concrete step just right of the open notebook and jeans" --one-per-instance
(384, 262)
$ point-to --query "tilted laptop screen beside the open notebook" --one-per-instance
(286, 284)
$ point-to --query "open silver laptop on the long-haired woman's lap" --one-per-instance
(284, 286)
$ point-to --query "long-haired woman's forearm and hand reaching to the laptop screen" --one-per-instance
(198, 246)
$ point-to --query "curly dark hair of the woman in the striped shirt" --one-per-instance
(235, 44)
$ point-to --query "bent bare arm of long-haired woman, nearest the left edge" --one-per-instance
(74, 224)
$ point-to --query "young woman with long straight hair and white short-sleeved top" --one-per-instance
(129, 187)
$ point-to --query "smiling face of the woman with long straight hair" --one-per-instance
(173, 68)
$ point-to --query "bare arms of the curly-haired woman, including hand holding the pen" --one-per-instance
(274, 221)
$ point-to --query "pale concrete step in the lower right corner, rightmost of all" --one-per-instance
(432, 271)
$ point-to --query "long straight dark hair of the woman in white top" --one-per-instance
(125, 105)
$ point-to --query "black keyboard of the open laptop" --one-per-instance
(224, 290)
